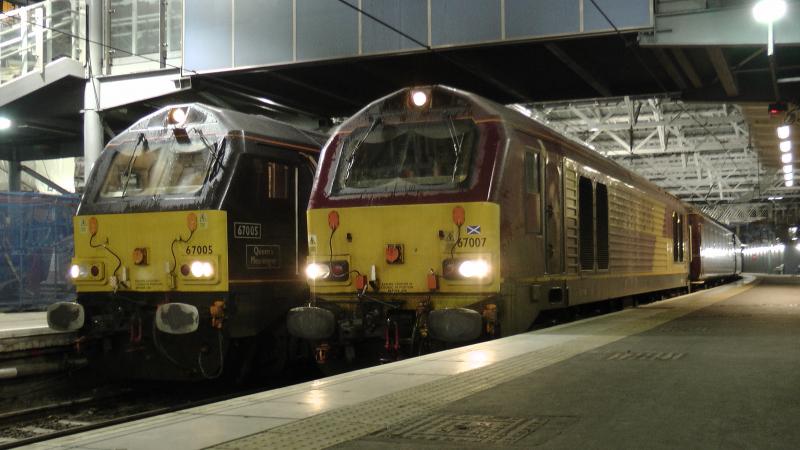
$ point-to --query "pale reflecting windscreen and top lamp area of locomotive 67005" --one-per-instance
(169, 156)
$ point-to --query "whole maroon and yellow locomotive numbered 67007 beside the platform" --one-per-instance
(440, 216)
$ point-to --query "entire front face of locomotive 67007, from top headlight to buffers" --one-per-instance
(404, 242)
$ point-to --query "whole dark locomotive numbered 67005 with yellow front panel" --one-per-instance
(188, 242)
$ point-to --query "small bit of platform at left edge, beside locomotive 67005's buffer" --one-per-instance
(24, 331)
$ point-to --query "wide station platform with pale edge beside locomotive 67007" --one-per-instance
(713, 369)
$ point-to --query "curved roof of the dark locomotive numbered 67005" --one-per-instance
(230, 121)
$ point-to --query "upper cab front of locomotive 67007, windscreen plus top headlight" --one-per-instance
(415, 140)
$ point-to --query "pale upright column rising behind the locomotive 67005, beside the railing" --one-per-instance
(92, 124)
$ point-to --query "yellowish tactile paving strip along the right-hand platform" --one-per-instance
(379, 414)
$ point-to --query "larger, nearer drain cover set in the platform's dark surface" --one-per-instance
(466, 428)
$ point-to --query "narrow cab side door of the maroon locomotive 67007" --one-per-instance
(553, 214)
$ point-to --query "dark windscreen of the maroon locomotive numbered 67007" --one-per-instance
(406, 157)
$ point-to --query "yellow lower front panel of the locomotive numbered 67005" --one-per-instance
(182, 251)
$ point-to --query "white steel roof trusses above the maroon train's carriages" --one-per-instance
(705, 154)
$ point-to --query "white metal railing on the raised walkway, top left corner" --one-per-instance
(33, 36)
